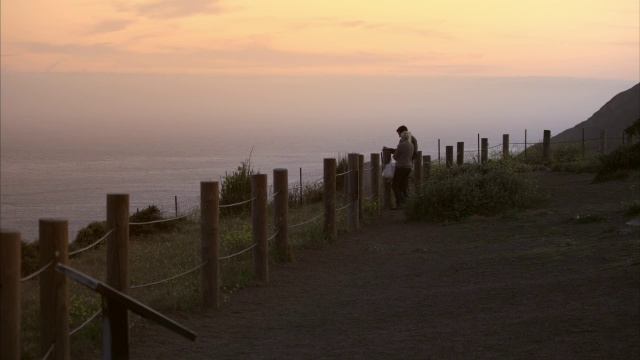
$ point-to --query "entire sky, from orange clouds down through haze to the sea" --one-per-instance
(163, 68)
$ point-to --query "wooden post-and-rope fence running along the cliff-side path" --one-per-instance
(54, 297)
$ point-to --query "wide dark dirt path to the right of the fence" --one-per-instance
(536, 285)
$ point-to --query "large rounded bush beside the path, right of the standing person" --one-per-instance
(456, 193)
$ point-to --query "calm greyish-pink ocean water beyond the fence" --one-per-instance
(71, 183)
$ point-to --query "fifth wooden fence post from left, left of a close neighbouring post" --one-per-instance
(259, 227)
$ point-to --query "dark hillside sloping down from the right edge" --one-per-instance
(614, 116)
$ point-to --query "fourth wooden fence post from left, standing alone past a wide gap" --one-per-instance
(210, 243)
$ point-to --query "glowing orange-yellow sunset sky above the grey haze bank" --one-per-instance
(569, 38)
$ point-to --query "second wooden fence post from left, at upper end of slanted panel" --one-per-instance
(54, 288)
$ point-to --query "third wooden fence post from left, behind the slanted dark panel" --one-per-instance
(117, 338)
